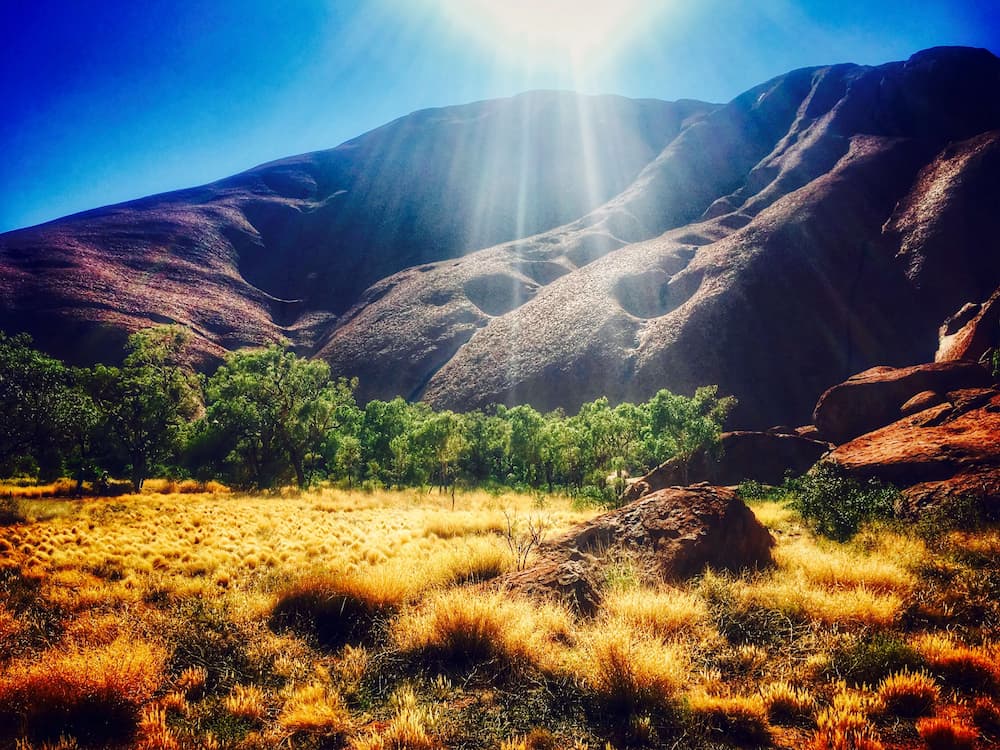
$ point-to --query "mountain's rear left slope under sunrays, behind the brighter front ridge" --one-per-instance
(283, 250)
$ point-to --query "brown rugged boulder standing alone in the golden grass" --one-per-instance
(668, 535)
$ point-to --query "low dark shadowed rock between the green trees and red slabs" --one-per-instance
(764, 457)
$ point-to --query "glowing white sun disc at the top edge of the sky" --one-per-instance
(547, 32)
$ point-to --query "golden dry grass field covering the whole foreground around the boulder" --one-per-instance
(333, 619)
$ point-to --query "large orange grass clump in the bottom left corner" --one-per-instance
(93, 694)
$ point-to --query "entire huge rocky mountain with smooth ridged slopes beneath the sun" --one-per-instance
(826, 221)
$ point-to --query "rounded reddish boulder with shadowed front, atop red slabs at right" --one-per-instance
(876, 397)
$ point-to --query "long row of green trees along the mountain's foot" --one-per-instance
(271, 418)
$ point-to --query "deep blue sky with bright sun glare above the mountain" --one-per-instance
(107, 101)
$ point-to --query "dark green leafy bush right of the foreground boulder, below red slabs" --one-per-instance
(837, 505)
